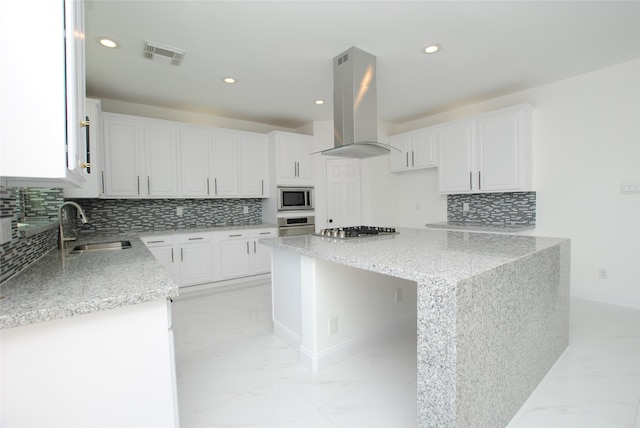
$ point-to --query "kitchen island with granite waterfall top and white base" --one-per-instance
(492, 311)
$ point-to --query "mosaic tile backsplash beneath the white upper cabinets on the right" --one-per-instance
(513, 208)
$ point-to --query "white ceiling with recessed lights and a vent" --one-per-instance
(281, 52)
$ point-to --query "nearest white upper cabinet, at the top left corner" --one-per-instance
(43, 72)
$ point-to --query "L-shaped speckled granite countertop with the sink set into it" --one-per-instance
(61, 285)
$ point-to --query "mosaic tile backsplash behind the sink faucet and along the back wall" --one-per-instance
(108, 215)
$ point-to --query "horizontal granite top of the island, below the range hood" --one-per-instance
(419, 254)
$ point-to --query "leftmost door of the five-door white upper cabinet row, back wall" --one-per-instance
(122, 156)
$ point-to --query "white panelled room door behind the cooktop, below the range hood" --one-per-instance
(343, 192)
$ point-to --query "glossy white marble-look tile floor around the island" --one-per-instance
(232, 372)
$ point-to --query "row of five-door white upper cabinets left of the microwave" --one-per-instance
(152, 158)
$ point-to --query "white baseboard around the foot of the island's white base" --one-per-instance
(330, 357)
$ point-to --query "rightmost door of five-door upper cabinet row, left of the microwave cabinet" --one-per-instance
(253, 166)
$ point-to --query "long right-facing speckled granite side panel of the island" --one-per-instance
(512, 324)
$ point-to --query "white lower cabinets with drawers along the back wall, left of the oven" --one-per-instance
(200, 258)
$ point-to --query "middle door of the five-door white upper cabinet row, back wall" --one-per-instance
(194, 163)
